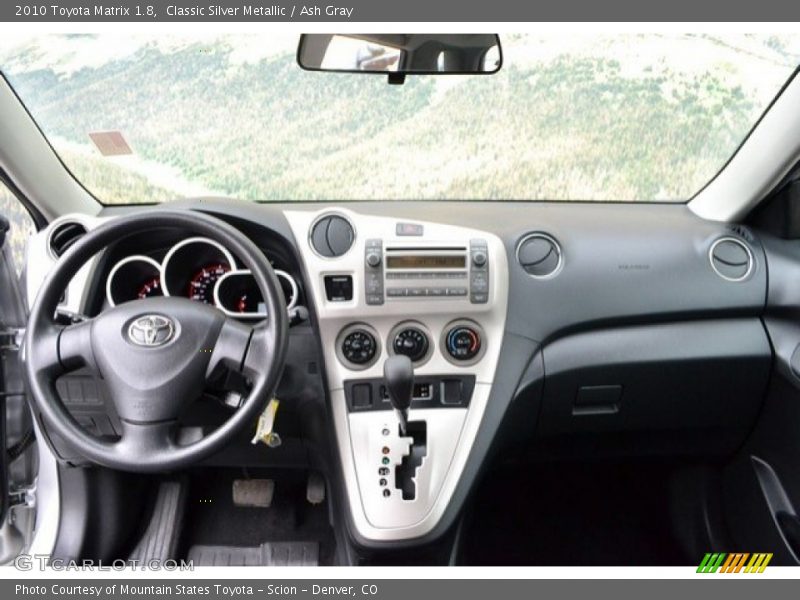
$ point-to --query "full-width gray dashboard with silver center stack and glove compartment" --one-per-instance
(581, 328)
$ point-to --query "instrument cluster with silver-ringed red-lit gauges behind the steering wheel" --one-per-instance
(199, 269)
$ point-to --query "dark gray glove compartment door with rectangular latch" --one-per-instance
(674, 388)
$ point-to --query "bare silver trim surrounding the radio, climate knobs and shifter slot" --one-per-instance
(402, 519)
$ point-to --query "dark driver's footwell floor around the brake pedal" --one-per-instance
(212, 519)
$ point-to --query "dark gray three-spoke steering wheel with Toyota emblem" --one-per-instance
(156, 354)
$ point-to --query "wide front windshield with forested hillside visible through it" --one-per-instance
(616, 117)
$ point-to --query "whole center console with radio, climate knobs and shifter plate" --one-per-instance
(434, 293)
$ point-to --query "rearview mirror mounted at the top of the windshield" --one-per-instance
(401, 54)
